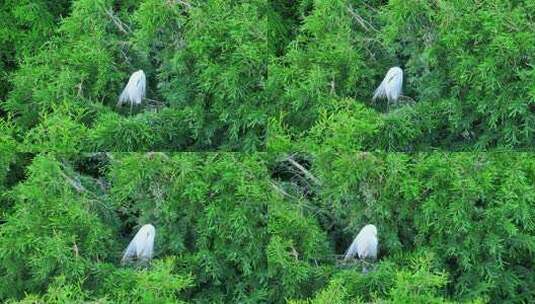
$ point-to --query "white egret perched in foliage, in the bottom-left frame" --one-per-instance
(142, 245)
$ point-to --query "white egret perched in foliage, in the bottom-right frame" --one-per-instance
(364, 245)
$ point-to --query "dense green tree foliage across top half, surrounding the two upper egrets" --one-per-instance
(228, 75)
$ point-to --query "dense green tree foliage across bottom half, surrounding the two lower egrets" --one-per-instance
(252, 228)
